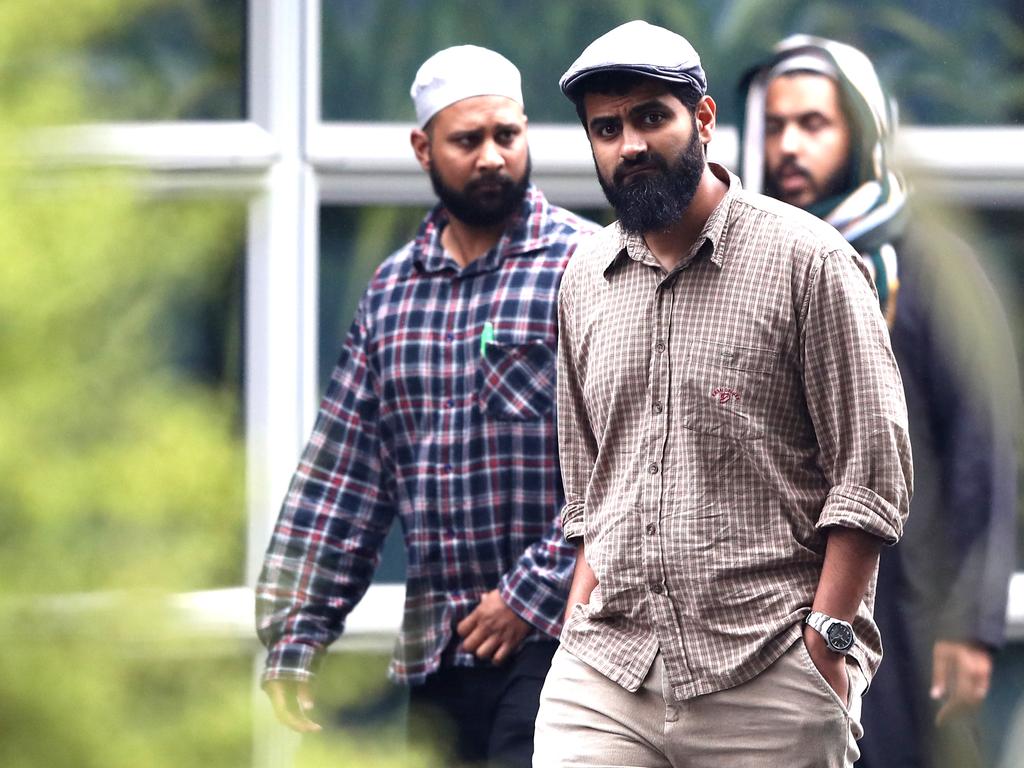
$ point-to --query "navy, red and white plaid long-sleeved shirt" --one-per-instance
(448, 422)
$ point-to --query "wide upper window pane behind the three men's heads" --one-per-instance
(947, 64)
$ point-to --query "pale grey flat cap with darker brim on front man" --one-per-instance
(645, 50)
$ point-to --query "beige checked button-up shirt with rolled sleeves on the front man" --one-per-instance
(713, 423)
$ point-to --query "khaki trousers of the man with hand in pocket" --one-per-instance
(788, 717)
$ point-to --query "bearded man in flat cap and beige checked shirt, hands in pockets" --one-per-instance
(734, 445)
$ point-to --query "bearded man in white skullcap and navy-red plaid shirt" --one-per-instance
(441, 413)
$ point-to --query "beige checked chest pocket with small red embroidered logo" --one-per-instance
(726, 388)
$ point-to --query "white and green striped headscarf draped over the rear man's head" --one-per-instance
(871, 216)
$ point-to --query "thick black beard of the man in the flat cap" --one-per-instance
(657, 200)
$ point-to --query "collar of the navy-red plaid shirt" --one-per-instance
(525, 232)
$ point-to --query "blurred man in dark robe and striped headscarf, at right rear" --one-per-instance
(817, 133)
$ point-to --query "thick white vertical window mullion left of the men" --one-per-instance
(281, 310)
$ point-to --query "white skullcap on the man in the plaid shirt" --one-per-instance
(463, 72)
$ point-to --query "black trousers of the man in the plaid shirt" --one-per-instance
(482, 716)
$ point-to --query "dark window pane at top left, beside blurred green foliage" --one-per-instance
(175, 61)
